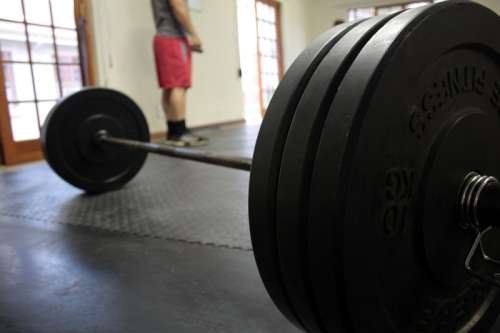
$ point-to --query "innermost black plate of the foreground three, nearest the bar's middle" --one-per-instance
(266, 163)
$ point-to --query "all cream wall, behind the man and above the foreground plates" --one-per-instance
(124, 29)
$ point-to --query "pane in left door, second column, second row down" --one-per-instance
(42, 44)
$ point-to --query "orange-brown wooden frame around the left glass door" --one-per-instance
(12, 152)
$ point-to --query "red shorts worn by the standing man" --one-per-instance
(173, 62)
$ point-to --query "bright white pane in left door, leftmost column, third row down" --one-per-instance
(18, 84)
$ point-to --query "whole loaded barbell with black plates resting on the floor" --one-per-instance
(373, 201)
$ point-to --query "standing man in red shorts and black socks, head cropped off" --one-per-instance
(175, 39)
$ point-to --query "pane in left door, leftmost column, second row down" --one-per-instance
(13, 42)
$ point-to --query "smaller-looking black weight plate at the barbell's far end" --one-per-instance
(68, 139)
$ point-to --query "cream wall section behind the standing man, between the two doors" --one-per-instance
(123, 31)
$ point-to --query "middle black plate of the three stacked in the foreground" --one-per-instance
(296, 167)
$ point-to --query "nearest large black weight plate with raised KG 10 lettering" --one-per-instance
(415, 113)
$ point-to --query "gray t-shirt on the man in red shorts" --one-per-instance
(165, 21)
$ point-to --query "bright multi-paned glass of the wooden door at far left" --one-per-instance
(40, 59)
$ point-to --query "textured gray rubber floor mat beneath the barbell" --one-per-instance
(169, 199)
